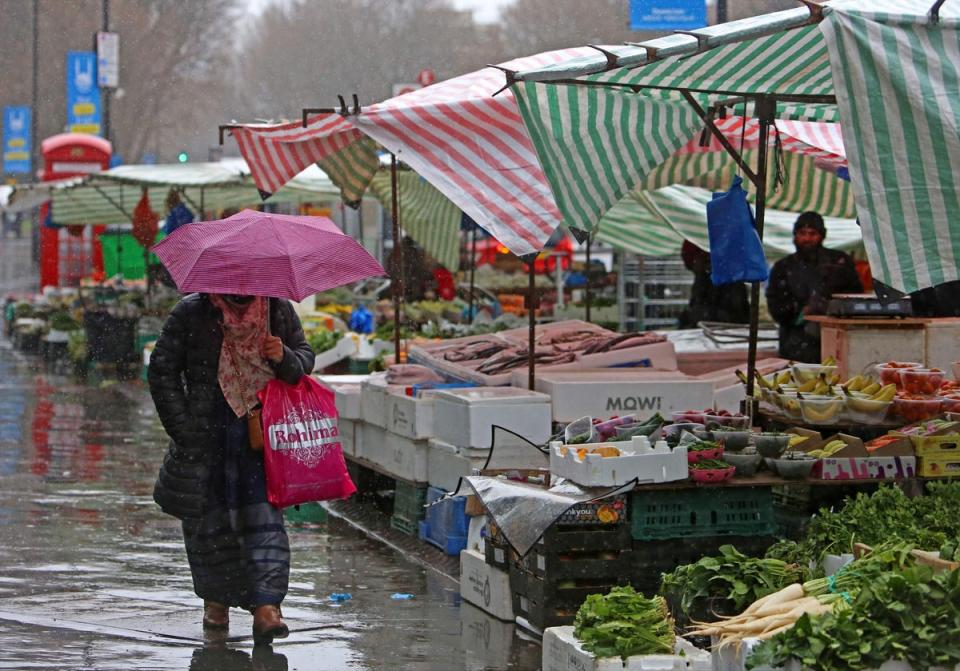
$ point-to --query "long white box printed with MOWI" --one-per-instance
(605, 393)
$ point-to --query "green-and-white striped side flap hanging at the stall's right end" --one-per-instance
(898, 88)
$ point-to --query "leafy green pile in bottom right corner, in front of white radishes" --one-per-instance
(912, 615)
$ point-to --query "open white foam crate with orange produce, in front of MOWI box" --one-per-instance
(637, 461)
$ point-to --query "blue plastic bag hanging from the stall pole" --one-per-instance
(736, 253)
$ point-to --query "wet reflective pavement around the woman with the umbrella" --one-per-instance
(94, 576)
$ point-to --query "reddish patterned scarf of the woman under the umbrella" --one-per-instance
(242, 370)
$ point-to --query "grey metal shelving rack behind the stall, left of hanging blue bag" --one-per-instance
(652, 291)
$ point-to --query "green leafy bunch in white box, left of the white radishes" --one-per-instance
(625, 623)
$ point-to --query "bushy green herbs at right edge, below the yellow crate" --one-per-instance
(925, 521)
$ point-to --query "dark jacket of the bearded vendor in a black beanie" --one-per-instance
(796, 282)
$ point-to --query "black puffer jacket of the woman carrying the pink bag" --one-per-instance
(183, 383)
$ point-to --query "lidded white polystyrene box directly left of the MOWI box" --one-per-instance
(466, 417)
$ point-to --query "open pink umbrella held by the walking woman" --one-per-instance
(259, 254)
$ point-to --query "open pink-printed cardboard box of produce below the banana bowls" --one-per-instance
(893, 461)
